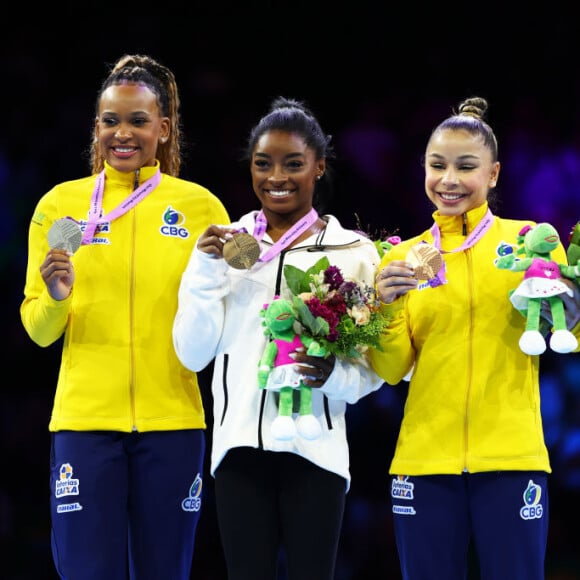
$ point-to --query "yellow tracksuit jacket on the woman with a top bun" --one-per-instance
(473, 402)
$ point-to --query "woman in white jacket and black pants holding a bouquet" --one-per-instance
(273, 494)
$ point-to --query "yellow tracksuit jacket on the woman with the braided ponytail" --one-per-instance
(119, 370)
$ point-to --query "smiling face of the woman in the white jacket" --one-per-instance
(284, 172)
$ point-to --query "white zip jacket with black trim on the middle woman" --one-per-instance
(218, 318)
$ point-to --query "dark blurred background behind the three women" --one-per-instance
(379, 77)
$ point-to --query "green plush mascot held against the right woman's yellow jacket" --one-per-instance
(542, 281)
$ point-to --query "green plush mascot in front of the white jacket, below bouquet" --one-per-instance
(276, 371)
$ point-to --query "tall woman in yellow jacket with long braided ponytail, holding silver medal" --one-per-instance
(127, 421)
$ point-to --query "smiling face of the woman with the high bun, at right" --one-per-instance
(459, 171)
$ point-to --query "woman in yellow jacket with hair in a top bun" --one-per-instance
(470, 463)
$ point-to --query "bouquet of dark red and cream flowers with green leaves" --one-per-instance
(341, 315)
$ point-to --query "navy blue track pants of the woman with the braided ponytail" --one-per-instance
(125, 505)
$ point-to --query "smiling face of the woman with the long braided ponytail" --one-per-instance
(129, 126)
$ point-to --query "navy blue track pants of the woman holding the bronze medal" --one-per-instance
(504, 513)
